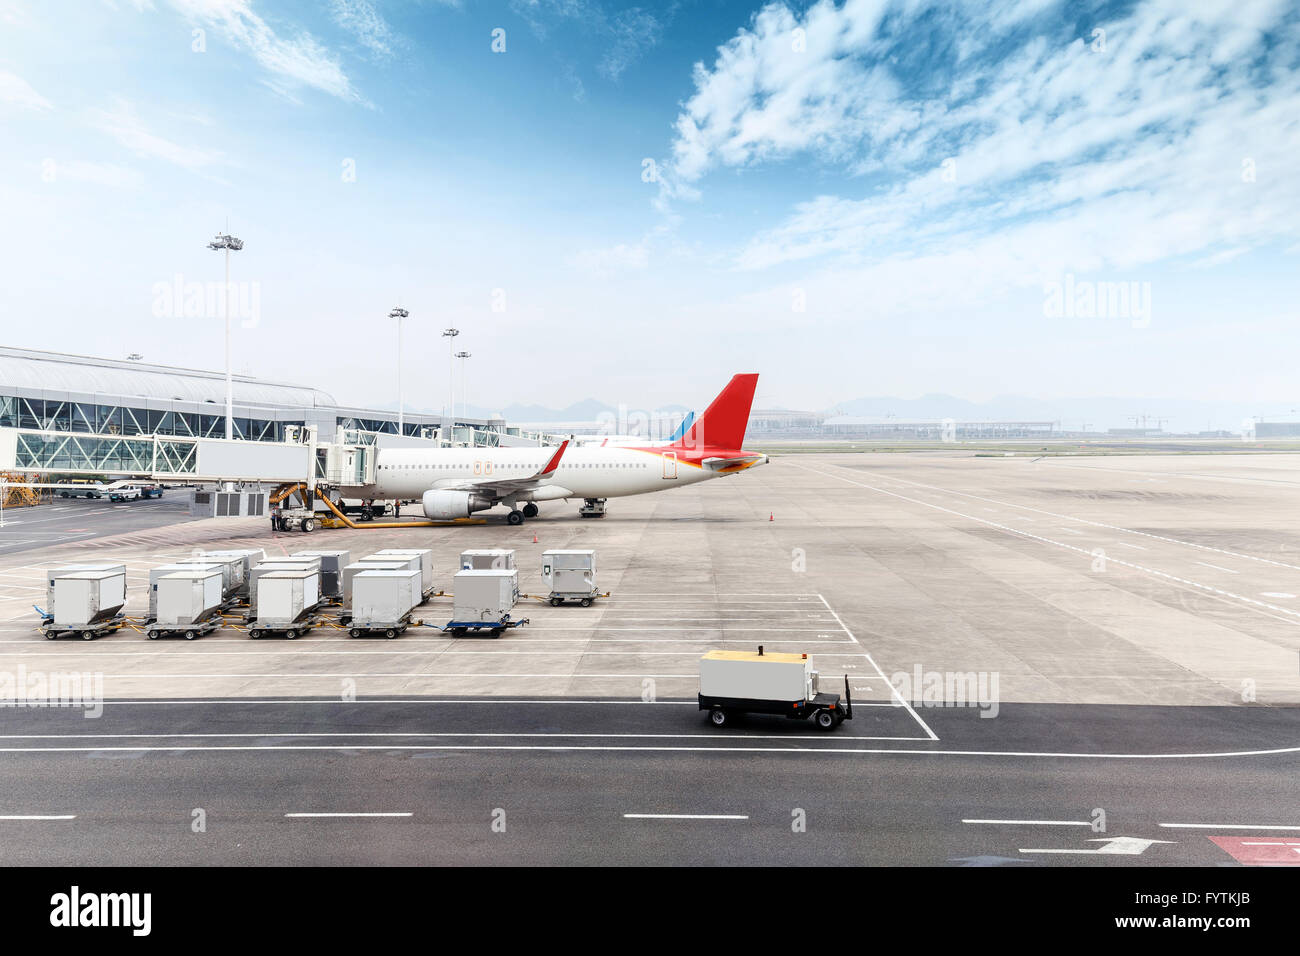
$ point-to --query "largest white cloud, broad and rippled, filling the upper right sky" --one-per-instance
(1037, 157)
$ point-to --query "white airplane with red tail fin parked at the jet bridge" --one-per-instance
(457, 483)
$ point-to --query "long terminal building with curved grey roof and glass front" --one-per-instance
(81, 414)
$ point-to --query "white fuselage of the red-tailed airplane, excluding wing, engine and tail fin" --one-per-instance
(583, 473)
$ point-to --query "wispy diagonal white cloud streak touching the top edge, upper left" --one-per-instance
(293, 63)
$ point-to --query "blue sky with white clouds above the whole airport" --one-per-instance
(853, 198)
